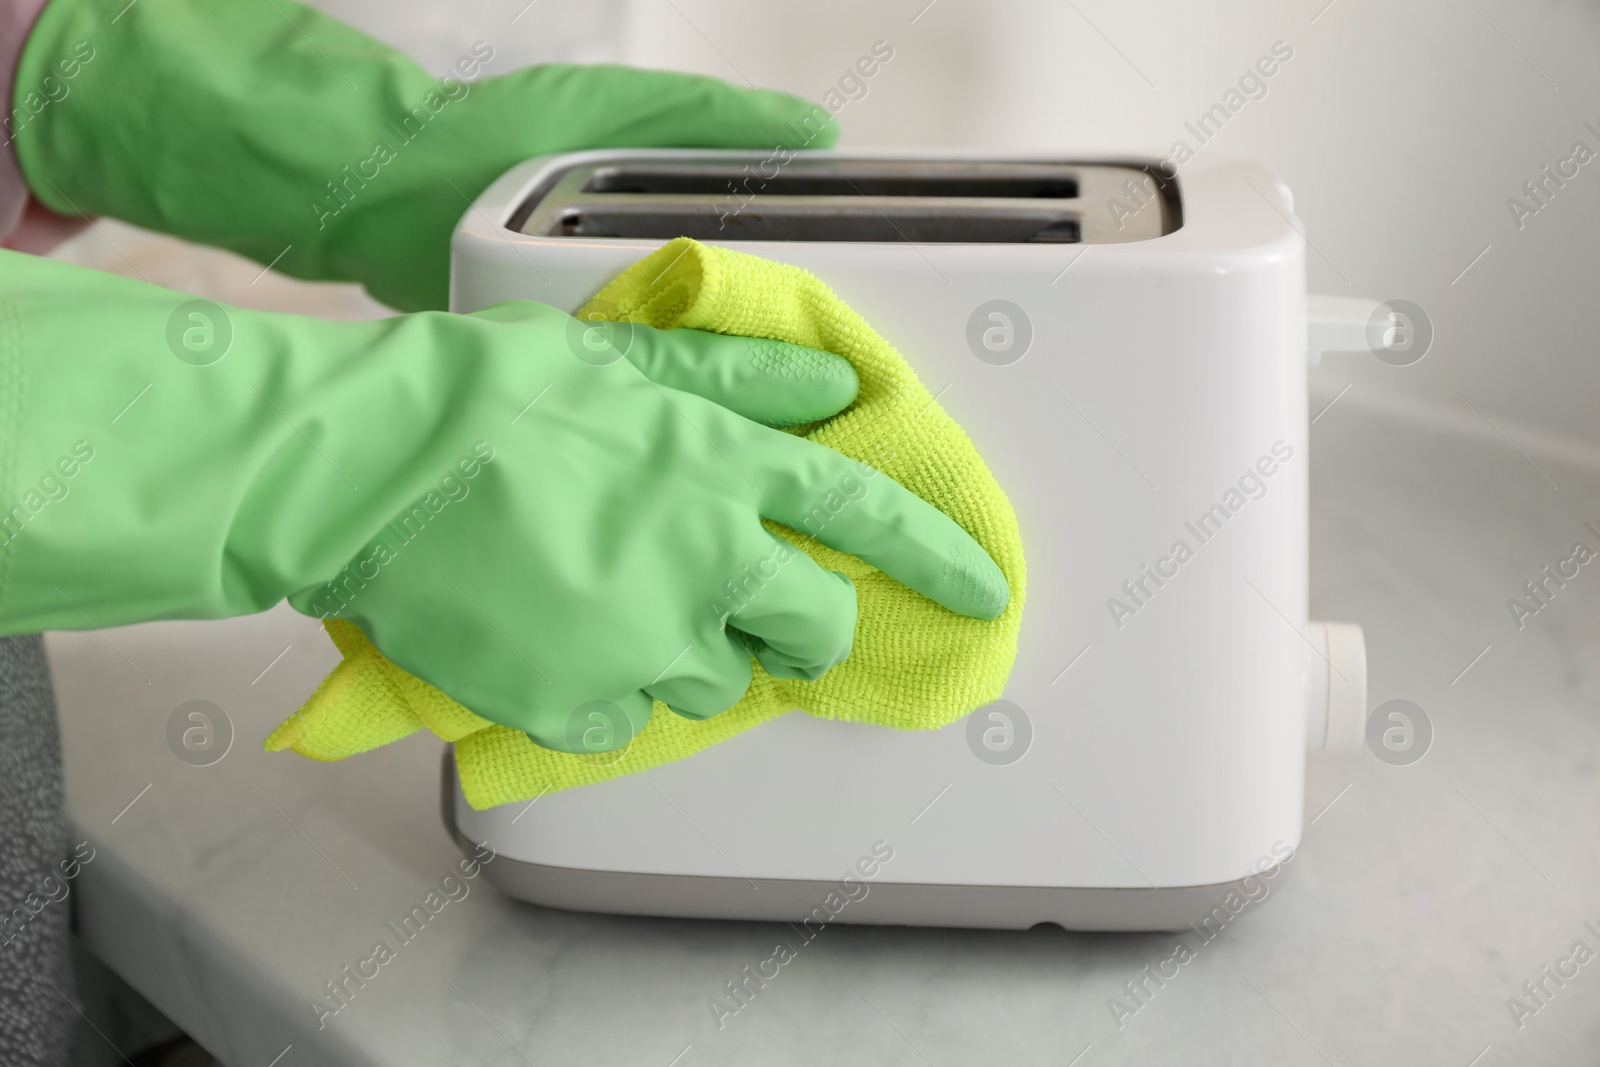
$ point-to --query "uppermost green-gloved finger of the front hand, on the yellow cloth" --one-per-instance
(767, 382)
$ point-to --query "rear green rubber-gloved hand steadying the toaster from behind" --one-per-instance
(295, 140)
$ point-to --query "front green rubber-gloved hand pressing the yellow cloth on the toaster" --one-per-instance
(514, 516)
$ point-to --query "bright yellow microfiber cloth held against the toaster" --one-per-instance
(914, 665)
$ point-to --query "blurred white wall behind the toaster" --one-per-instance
(1401, 127)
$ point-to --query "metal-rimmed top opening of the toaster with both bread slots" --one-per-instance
(839, 201)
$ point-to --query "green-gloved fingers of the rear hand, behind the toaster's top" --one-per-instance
(641, 110)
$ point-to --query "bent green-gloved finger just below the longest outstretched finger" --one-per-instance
(799, 618)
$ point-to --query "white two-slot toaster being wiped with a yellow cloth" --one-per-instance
(1127, 348)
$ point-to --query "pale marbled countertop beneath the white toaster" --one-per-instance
(1422, 900)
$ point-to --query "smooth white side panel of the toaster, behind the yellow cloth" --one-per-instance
(1153, 438)
